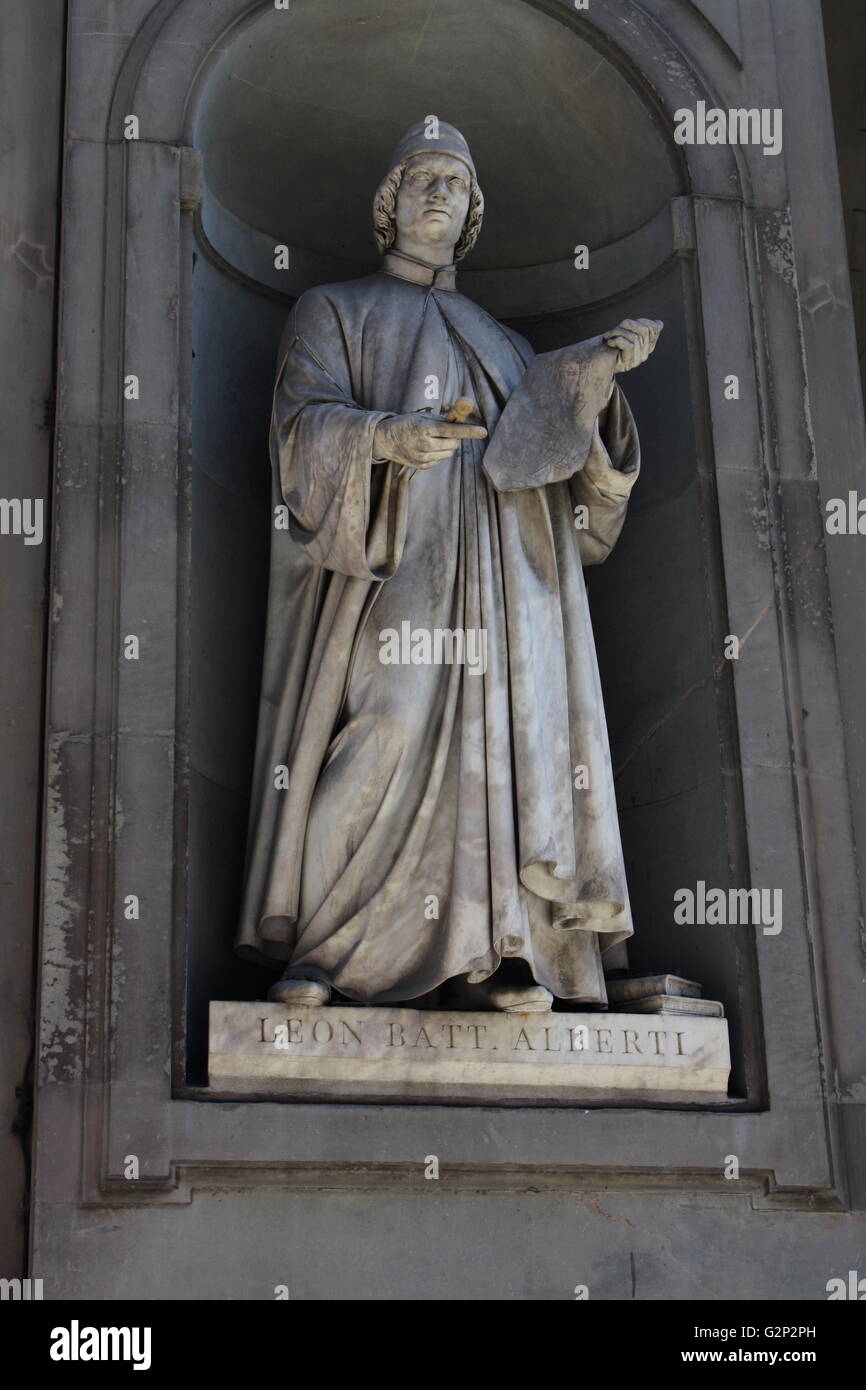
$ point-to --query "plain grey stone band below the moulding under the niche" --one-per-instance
(384, 1238)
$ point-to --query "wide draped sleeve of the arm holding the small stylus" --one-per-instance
(348, 512)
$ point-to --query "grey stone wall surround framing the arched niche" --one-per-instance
(758, 295)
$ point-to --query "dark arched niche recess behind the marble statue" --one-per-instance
(295, 123)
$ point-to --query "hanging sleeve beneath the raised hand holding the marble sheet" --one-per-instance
(601, 490)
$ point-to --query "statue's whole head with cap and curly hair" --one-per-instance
(430, 204)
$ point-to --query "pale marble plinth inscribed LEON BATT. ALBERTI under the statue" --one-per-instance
(355, 1054)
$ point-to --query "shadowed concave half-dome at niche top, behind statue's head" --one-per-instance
(302, 115)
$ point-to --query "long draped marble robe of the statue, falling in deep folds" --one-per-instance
(432, 822)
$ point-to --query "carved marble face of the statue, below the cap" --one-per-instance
(433, 202)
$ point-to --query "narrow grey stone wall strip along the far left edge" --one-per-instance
(31, 73)
